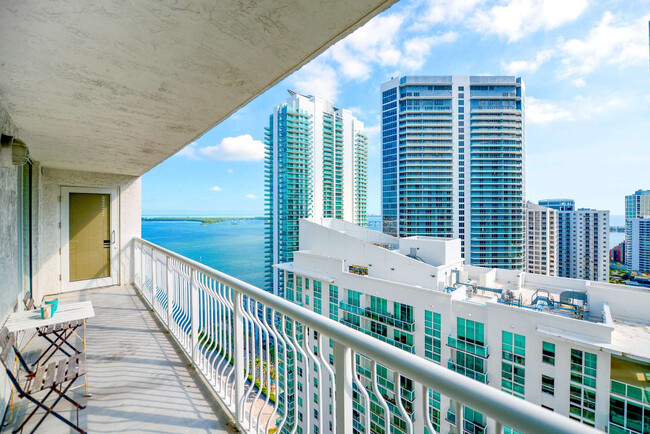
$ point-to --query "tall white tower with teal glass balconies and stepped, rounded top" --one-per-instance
(315, 166)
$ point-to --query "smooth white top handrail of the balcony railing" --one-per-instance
(509, 410)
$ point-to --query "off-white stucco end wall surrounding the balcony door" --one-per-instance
(48, 239)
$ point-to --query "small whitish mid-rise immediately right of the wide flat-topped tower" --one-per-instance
(541, 240)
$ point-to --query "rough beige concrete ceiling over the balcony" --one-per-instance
(117, 86)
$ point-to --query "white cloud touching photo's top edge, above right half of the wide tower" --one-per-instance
(515, 19)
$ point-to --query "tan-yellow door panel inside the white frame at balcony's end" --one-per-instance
(90, 236)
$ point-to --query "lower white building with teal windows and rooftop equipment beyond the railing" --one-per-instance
(575, 347)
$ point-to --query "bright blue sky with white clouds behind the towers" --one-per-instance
(587, 74)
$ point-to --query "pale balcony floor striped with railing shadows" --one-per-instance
(139, 380)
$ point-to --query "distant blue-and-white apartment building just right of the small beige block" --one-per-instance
(583, 241)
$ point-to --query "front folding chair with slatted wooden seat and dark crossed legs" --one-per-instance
(56, 377)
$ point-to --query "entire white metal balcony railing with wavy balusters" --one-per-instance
(262, 353)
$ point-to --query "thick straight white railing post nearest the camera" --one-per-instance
(344, 368)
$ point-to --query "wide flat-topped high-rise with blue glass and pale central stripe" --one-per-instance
(453, 163)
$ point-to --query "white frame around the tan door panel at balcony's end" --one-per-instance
(114, 277)
